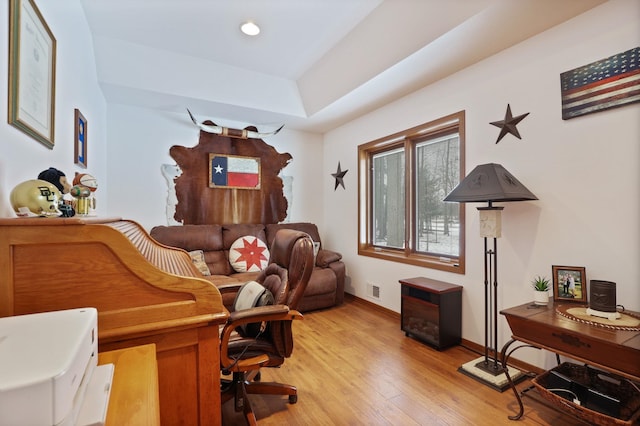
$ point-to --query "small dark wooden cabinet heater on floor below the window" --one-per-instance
(431, 311)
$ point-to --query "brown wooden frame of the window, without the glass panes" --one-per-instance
(407, 139)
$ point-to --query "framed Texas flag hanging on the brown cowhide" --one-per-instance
(230, 171)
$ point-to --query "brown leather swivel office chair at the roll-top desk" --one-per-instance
(287, 276)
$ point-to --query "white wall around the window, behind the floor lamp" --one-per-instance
(585, 171)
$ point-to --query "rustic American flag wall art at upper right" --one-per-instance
(604, 84)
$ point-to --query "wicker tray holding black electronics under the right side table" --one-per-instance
(611, 385)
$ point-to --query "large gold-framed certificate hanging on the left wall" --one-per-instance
(32, 72)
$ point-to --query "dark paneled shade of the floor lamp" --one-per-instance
(489, 182)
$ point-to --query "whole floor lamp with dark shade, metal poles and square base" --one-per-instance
(489, 183)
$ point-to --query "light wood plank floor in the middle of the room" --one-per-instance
(354, 366)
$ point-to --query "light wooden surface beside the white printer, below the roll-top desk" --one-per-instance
(134, 391)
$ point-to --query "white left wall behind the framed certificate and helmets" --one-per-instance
(22, 157)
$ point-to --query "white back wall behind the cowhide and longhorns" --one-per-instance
(139, 143)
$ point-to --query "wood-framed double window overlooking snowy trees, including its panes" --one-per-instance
(403, 179)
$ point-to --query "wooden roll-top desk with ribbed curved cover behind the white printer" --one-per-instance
(144, 292)
